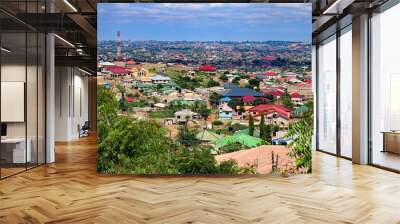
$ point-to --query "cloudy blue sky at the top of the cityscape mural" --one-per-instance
(205, 21)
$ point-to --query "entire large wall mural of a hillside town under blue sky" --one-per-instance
(204, 88)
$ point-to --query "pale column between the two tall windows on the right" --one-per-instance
(360, 90)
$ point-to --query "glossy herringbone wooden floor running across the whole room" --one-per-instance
(71, 191)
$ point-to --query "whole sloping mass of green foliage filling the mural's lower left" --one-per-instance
(129, 146)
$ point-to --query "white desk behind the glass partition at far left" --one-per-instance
(13, 150)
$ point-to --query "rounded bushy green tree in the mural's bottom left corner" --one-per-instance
(135, 147)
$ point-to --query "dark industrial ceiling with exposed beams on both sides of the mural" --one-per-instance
(75, 21)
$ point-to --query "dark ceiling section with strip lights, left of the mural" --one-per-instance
(74, 22)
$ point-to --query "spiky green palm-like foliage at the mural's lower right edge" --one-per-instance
(301, 132)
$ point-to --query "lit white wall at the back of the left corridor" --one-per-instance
(71, 102)
